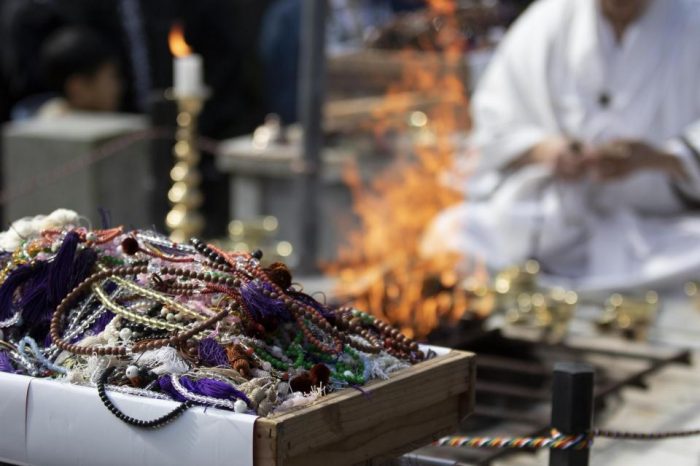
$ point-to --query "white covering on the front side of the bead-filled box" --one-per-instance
(47, 422)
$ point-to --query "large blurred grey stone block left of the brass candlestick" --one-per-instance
(79, 162)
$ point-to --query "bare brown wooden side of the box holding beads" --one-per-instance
(416, 406)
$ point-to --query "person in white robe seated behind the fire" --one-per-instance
(587, 133)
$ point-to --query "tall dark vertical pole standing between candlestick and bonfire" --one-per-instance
(311, 96)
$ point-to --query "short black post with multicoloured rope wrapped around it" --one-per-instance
(572, 409)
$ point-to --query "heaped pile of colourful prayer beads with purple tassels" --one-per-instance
(133, 312)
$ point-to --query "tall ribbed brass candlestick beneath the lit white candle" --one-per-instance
(184, 220)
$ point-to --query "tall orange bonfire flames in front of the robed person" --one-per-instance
(382, 269)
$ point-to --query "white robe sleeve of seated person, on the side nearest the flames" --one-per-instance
(512, 105)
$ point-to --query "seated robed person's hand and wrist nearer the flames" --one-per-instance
(563, 155)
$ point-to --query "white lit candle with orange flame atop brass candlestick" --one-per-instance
(187, 66)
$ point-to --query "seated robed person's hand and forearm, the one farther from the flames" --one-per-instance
(619, 159)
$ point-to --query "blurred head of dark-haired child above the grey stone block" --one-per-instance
(82, 70)
